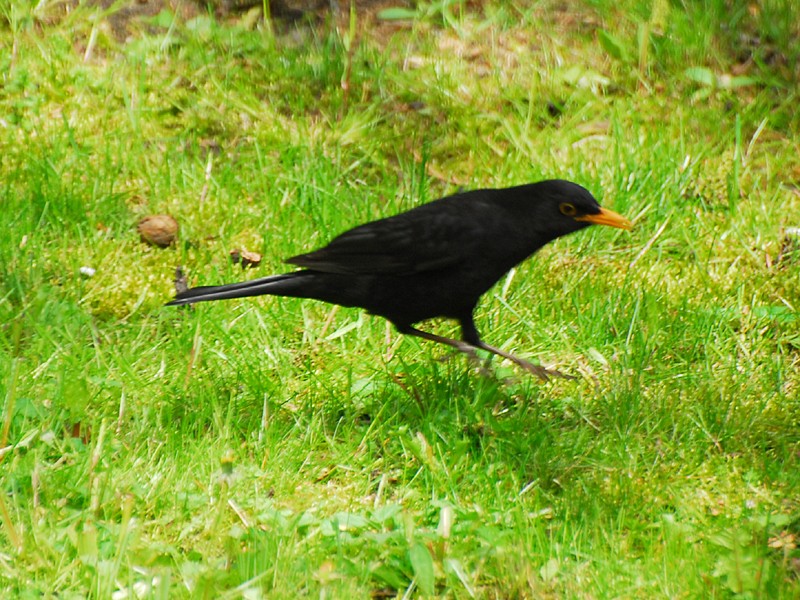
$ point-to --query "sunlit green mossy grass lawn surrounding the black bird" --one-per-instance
(282, 448)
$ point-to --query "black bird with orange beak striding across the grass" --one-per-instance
(435, 260)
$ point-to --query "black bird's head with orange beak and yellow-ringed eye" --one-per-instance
(568, 207)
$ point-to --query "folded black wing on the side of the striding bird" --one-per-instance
(413, 242)
